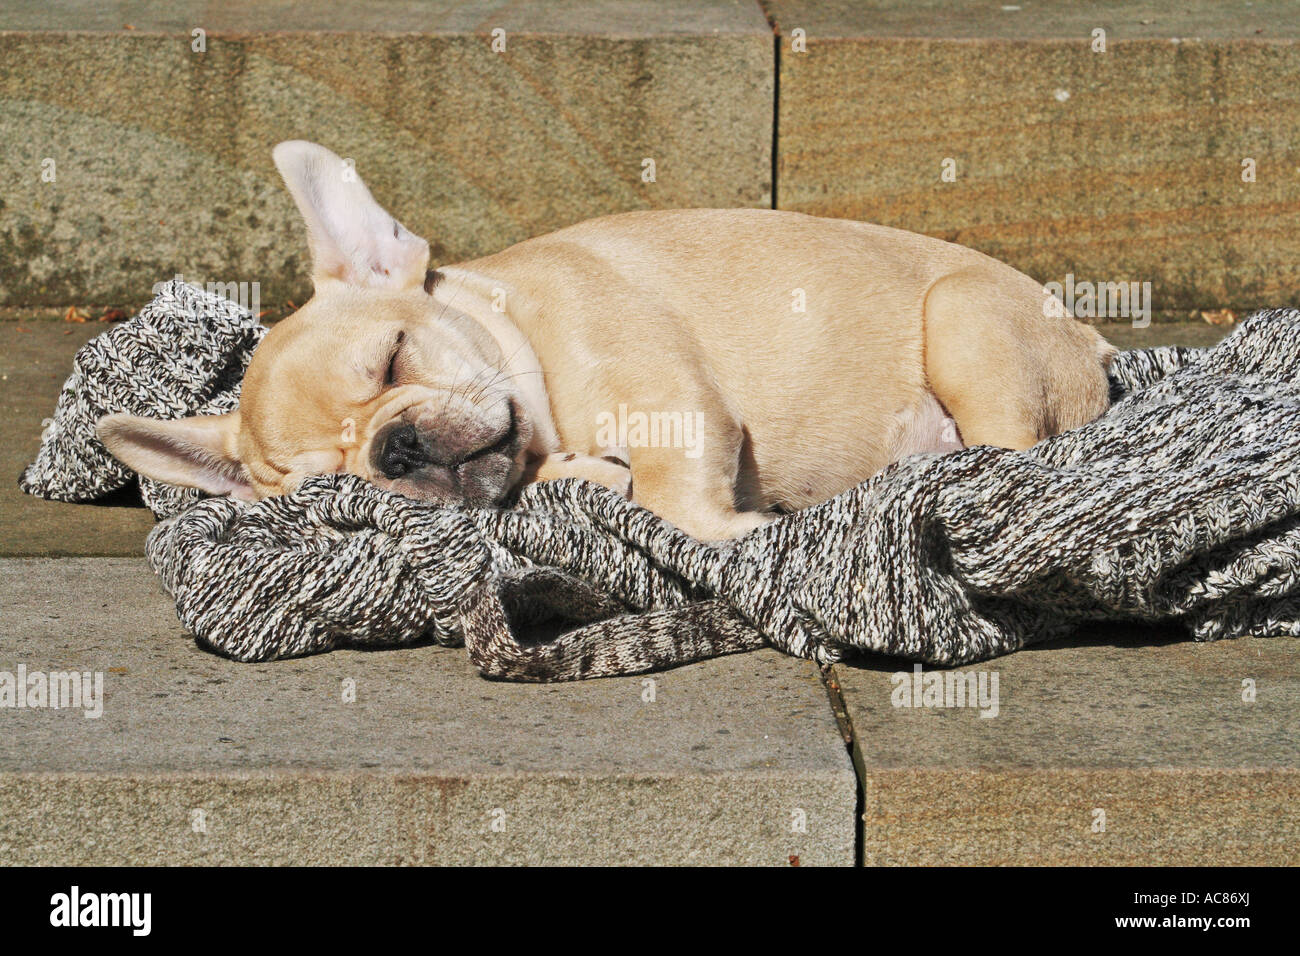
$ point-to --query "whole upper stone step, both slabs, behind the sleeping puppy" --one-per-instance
(1113, 167)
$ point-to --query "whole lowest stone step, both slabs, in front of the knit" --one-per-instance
(196, 759)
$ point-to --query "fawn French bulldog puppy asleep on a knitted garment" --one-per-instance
(717, 365)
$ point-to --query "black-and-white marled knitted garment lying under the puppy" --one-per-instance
(1178, 505)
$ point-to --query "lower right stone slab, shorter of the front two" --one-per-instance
(1150, 730)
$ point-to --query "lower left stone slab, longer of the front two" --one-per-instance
(200, 760)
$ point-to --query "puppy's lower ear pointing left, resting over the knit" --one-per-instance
(197, 453)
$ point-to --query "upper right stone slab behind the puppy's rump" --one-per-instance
(1117, 166)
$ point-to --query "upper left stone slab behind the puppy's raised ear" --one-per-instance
(162, 155)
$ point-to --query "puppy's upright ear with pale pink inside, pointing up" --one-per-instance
(352, 237)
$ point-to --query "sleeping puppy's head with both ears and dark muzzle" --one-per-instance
(372, 377)
